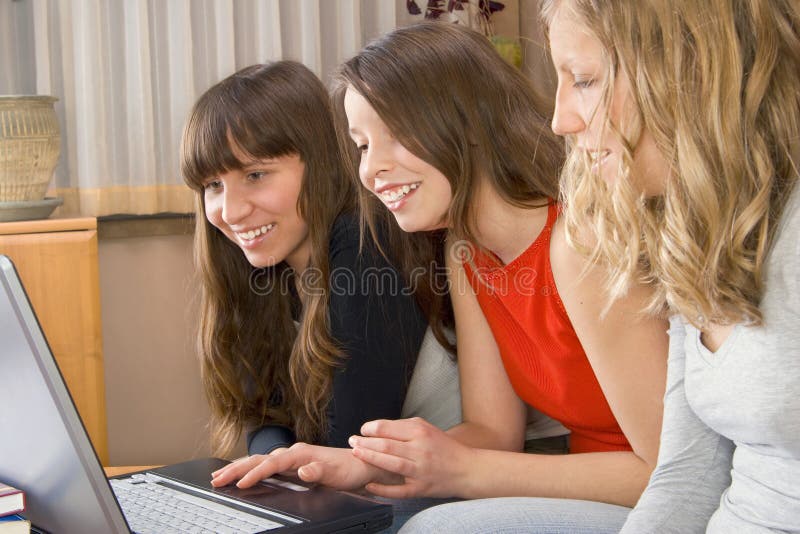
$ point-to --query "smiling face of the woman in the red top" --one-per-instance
(417, 194)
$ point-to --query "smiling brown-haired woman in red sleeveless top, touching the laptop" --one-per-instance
(474, 155)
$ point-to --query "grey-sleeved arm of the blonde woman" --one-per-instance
(693, 463)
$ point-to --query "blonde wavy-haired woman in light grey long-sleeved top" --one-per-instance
(684, 122)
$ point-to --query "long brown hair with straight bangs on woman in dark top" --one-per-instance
(257, 368)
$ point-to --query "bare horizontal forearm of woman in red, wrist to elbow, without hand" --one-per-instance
(611, 477)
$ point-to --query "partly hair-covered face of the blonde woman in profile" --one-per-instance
(582, 66)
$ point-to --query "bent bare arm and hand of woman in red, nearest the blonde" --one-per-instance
(631, 378)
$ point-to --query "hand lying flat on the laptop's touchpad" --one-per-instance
(333, 467)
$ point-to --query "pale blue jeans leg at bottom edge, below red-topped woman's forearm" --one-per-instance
(509, 515)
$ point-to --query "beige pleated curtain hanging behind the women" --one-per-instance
(126, 73)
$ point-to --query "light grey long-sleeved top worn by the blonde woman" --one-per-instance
(730, 446)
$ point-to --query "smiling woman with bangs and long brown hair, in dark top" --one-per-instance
(305, 332)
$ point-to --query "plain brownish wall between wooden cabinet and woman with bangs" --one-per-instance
(155, 406)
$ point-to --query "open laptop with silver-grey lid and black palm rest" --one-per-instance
(45, 451)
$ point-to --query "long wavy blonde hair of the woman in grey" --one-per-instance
(717, 84)
